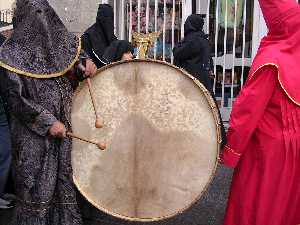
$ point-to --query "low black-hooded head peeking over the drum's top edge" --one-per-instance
(116, 51)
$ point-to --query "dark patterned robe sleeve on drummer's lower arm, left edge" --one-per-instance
(33, 115)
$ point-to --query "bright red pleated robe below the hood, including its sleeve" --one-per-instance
(264, 148)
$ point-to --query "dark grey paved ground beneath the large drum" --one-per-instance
(208, 211)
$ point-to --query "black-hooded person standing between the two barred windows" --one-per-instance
(193, 52)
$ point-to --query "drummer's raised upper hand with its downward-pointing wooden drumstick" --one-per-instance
(90, 70)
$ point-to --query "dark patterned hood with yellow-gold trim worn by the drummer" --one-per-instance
(40, 45)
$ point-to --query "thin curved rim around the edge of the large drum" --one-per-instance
(217, 120)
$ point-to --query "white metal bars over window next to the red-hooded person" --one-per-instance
(232, 35)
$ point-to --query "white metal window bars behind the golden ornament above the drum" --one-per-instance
(151, 16)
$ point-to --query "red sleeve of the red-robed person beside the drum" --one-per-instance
(247, 111)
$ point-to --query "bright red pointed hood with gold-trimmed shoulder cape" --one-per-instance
(281, 46)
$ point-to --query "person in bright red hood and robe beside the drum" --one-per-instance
(263, 138)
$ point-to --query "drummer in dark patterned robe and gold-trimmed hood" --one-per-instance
(38, 57)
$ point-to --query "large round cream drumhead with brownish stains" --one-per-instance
(120, 85)
